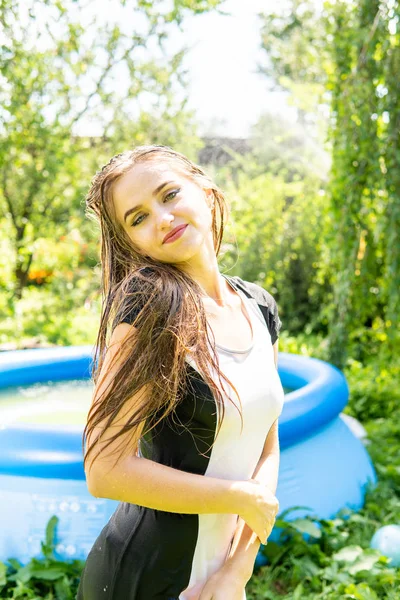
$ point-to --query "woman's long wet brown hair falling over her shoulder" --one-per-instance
(170, 318)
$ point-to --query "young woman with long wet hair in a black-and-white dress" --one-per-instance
(197, 474)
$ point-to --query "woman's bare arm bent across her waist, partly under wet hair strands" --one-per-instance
(141, 481)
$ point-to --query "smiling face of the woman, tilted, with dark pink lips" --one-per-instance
(153, 198)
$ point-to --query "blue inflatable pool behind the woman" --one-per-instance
(324, 464)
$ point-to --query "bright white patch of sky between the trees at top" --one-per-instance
(222, 66)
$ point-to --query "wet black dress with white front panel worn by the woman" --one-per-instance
(147, 554)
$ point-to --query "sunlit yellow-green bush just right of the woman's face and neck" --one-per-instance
(275, 237)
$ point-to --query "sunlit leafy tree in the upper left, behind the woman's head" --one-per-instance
(58, 66)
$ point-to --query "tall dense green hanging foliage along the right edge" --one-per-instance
(344, 59)
